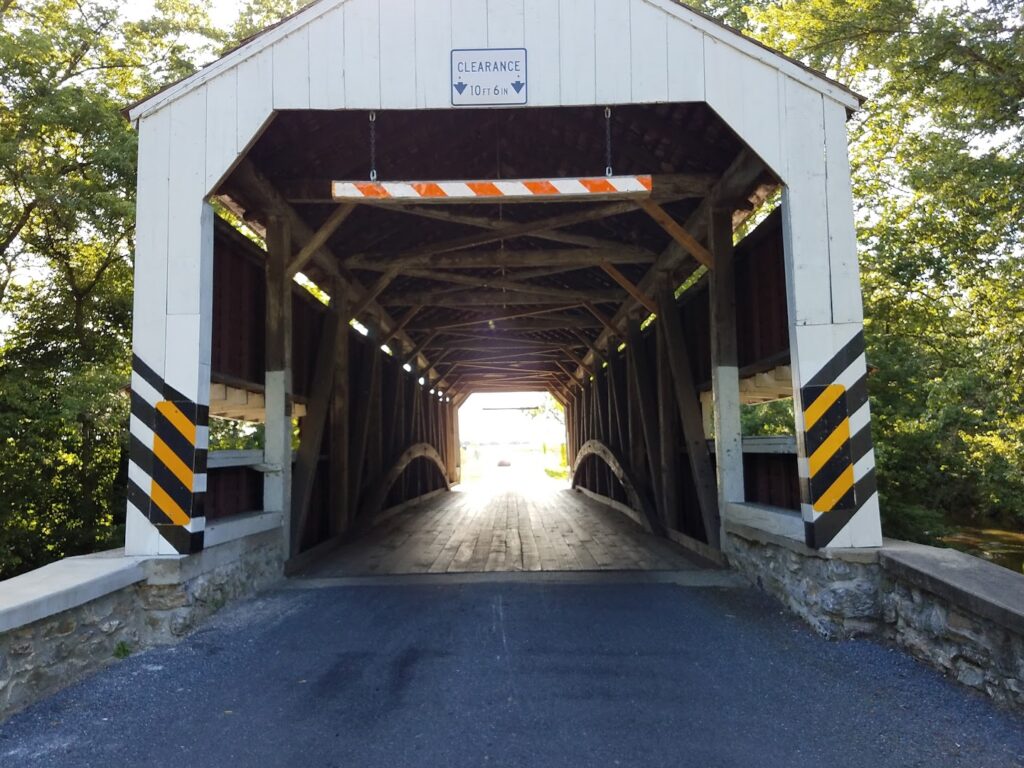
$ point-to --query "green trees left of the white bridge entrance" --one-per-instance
(67, 220)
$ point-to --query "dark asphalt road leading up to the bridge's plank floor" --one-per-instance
(514, 675)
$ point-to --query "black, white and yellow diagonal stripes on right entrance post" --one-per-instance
(831, 448)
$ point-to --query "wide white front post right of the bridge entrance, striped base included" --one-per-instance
(836, 461)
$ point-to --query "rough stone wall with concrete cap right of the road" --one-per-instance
(959, 614)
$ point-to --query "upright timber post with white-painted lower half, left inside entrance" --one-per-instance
(278, 378)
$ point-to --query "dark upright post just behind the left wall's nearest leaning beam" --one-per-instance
(340, 419)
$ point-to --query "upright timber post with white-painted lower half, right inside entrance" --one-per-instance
(724, 361)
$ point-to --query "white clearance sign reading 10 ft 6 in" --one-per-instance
(483, 77)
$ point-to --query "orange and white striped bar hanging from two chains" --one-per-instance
(495, 191)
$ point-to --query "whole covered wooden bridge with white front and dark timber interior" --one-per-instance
(622, 203)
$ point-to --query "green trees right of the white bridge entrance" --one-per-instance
(938, 158)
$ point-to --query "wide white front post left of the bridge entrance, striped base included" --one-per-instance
(172, 339)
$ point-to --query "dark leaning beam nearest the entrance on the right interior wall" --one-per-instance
(689, 404)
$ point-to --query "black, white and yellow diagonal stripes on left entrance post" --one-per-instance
(163, 450)
